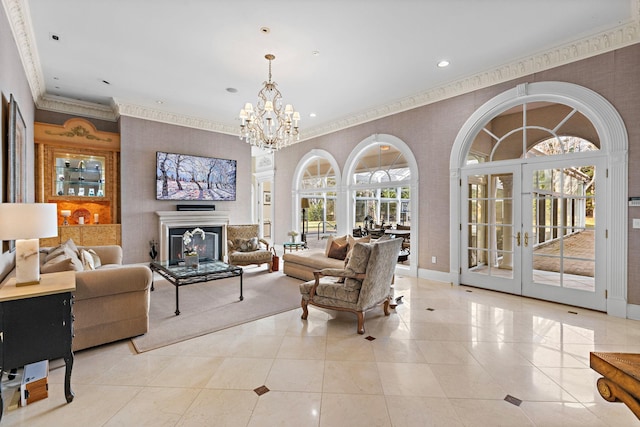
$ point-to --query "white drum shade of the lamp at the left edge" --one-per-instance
(28, 220)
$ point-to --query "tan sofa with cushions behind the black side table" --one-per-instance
(111, 302)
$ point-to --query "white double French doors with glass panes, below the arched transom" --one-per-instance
(531, 229)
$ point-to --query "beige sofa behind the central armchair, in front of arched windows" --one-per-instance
(302, 264)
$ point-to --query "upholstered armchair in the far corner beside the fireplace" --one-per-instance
(245, 248)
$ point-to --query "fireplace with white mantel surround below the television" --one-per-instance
(173, 225)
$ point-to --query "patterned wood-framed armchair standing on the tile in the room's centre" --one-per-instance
(363, 284)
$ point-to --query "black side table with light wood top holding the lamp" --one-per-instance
(36, 324)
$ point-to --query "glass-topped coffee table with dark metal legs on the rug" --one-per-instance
(207, 270)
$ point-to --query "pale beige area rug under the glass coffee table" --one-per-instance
(212, 306)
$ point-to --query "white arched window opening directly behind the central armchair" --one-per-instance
(355, 178)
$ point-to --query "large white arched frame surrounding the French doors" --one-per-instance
(612, 139)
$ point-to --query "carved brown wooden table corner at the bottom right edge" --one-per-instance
(621, 378)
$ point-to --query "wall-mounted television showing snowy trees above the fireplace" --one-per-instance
(185, 177)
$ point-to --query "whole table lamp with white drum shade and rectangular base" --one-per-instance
(26, 223)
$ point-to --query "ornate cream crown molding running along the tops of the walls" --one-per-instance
(19, 18)
